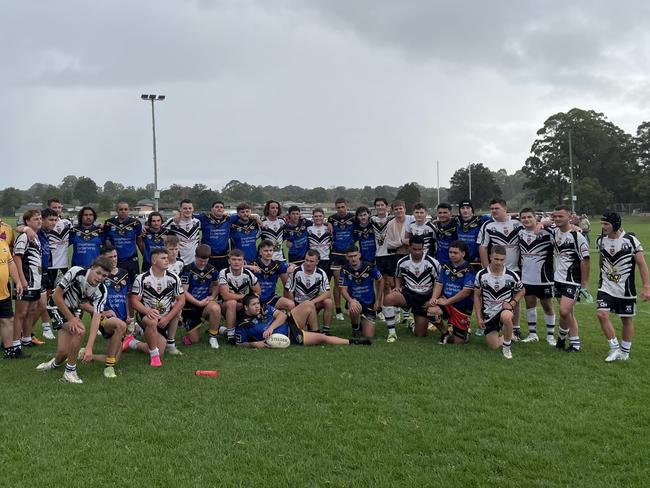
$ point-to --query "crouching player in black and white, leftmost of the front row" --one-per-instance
(79, 288)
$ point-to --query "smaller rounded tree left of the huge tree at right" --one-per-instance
(484, 185)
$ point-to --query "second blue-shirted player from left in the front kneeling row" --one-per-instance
(200, 282)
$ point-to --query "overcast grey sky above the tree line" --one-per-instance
(311, 93)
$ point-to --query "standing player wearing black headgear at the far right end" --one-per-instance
(620, 253)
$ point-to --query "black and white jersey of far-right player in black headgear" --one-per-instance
(617, 264)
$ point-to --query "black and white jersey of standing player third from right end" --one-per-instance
(536, 251)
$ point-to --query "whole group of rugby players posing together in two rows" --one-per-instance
(200, 267)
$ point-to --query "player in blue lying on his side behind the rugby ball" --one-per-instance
(259, 323)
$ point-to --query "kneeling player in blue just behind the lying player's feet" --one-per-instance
(362, 288)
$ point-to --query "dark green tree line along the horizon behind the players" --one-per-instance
(609, 166)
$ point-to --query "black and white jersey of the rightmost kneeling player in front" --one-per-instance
(496, 290)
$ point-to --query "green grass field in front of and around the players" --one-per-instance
(413, 413)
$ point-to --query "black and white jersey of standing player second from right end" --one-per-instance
(571, 248)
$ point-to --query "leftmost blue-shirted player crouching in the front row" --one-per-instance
(114, 317)
